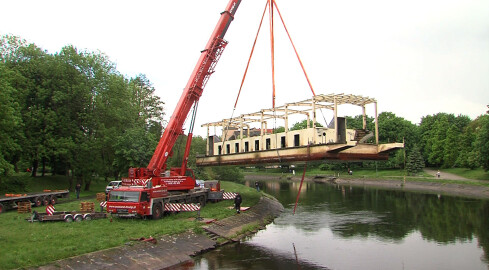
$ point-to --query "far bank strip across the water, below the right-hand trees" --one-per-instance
(454, 188)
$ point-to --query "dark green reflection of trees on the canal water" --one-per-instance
(352, 211)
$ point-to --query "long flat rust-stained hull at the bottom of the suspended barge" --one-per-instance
(319, 152)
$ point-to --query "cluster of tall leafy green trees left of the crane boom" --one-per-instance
(73, 112)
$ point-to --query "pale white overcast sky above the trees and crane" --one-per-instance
(416, 57)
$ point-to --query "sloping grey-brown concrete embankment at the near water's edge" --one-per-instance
(172, 250)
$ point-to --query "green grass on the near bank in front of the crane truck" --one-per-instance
(26, 244)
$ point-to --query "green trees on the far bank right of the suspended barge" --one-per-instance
(441, 140)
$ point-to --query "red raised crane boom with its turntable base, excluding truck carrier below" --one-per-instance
(177, 179)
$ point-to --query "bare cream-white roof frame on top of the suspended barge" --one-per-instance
(330, 102)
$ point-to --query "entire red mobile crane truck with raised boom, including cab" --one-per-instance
(146, 190)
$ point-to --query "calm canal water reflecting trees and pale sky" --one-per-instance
(337, 227)
